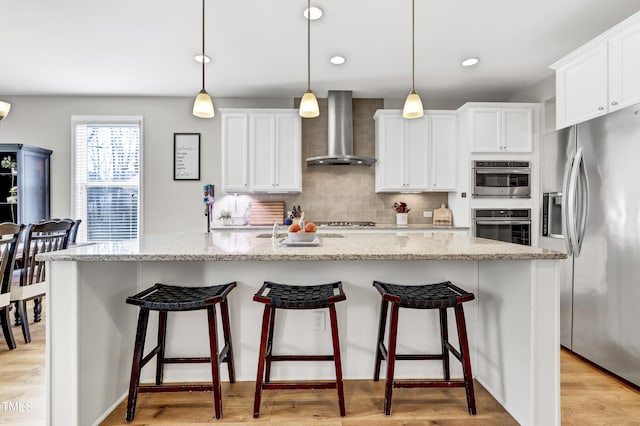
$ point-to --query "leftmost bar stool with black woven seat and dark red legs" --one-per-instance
(168, 298)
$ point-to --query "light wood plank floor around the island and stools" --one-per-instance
(589, 397)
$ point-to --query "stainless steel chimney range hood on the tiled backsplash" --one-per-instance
(340, 140)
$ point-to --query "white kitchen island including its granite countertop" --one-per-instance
(513, 323)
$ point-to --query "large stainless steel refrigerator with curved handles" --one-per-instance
(591, 176)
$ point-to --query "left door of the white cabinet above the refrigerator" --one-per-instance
(581, 88)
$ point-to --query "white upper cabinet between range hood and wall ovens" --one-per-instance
(417, 154)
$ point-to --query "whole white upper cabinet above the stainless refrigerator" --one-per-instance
(601, 76)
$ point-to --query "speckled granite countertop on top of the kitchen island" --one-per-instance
(242, 245)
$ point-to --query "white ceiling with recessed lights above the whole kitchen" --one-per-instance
(146, 47)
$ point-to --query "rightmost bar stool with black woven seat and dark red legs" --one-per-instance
(430, 296)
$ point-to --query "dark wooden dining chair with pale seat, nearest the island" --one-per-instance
(30, 283)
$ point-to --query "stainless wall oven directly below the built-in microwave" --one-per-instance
(511, 226)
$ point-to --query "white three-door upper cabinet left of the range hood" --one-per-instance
(267, 158)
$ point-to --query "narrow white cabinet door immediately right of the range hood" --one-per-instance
(390, 149)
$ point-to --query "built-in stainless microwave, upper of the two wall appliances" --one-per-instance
(502, 179)
